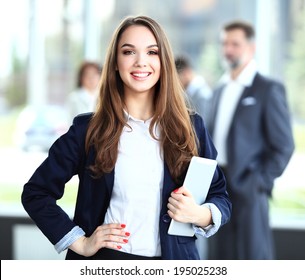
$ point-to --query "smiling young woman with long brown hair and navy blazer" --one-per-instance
(131, 157)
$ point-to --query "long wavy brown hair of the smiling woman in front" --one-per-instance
(178, 139)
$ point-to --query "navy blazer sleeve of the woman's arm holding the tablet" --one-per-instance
(217, 194)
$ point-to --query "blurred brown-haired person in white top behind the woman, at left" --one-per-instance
(83, 99)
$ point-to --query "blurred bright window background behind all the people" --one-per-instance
(44, 42)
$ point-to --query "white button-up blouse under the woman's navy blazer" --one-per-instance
(137, 190)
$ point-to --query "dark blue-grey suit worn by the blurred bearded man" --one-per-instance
(259, 146)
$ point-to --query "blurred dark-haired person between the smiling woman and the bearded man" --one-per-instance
(197, 89)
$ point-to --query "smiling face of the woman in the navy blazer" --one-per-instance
(138, 60)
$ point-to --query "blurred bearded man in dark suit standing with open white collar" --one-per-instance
(251, 129)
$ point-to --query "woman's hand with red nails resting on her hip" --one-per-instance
(108, 236)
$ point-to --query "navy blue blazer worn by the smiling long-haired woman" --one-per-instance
(67, 157)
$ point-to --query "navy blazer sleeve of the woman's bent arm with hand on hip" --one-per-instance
(47, 184)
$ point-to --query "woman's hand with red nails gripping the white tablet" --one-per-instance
(183, 208)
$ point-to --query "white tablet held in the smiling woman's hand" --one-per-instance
(198, 180)
